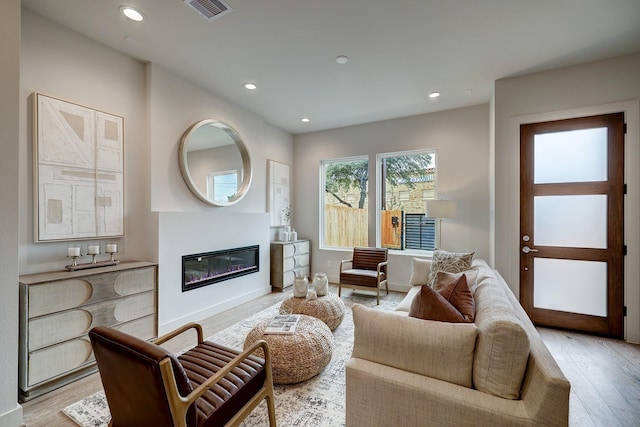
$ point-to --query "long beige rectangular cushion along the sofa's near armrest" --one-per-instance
(436, 349)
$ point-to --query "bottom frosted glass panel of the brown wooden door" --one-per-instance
(571, 286)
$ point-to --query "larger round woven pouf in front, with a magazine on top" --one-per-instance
(297, 357)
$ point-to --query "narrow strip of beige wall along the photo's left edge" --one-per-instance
(10, 411)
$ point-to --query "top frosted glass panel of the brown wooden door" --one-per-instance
(572, 156)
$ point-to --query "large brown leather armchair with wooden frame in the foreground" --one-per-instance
(208, 385)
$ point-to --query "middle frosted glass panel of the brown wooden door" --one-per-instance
(571, 221)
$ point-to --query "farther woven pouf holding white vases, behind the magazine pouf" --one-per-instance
(329, 308)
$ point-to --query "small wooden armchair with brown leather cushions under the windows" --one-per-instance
(368, 270)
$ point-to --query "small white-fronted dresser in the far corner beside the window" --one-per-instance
(287, 259)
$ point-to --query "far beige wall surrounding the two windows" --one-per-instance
(461, 137)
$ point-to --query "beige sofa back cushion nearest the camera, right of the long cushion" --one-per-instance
(502, 350)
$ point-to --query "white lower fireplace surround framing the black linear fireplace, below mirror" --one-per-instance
(182, 233)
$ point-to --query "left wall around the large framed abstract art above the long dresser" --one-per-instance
(63, 64)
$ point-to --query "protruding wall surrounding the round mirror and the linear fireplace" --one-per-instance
(188, 225)
